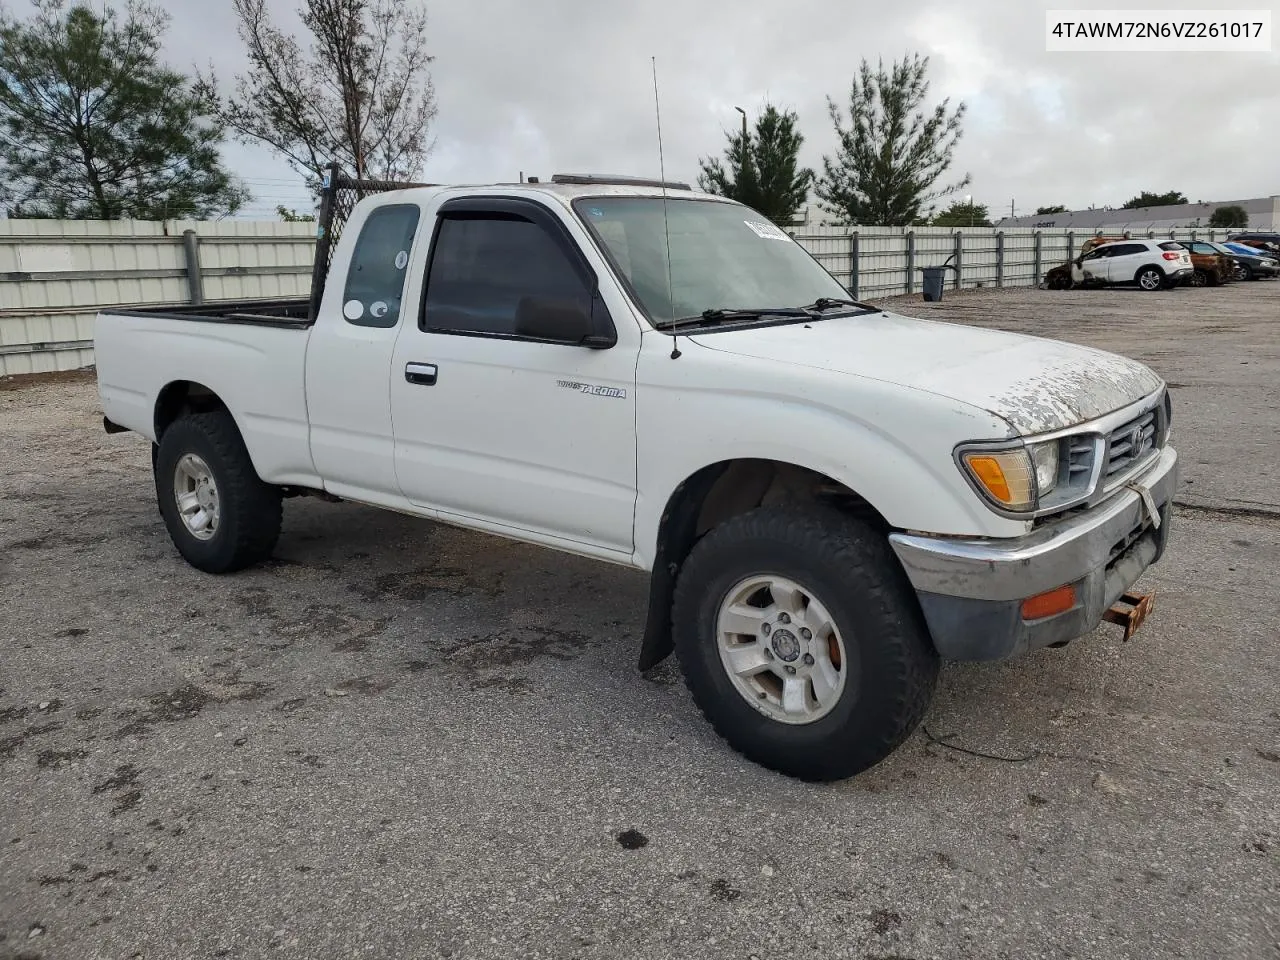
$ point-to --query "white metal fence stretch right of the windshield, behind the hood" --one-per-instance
(886, 262)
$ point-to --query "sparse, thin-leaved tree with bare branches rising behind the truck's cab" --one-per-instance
(360, 94)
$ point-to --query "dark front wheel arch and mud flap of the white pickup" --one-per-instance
(714, 495)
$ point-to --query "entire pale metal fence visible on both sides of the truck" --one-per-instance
(56, 276)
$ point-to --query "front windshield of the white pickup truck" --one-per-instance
(724, 257)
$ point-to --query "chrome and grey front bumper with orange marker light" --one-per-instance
(972, 589)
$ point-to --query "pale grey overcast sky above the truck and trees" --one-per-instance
(566, 86)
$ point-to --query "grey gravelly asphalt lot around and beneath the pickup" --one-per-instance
(401, 740)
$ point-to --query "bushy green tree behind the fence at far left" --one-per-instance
(93, 126)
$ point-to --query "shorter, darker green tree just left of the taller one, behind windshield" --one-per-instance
(770, 179)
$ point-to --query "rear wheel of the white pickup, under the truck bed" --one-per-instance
(221, 516)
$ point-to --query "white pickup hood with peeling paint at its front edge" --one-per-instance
(1035, 385)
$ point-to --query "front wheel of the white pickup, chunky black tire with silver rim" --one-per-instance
(802, 642)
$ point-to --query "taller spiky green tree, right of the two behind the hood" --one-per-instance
(894, 150)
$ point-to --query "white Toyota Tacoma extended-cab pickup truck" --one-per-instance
(830, 499)
